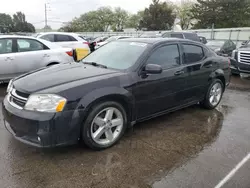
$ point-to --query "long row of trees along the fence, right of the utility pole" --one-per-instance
(162, 15)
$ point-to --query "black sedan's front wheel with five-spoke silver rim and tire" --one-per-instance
(104, 126)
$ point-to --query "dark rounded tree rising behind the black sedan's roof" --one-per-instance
(159, 16)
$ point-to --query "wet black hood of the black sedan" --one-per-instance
(57, 75)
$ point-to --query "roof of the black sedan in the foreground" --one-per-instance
(156, 40)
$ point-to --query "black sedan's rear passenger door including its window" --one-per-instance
(199, 68)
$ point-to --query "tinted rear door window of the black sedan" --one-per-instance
(192, 53)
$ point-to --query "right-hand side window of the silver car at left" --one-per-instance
(26, 45)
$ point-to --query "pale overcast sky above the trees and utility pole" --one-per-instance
(64, 10)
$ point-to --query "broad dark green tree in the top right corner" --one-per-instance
(221, 13)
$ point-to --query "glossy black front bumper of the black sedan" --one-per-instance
(39, 129)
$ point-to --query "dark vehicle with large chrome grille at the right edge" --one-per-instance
(240, 61)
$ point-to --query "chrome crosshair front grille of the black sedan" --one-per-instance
(17, 100)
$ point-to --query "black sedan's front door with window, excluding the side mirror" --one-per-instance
(158, 92)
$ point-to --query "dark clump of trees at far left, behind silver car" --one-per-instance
(15, 23)
